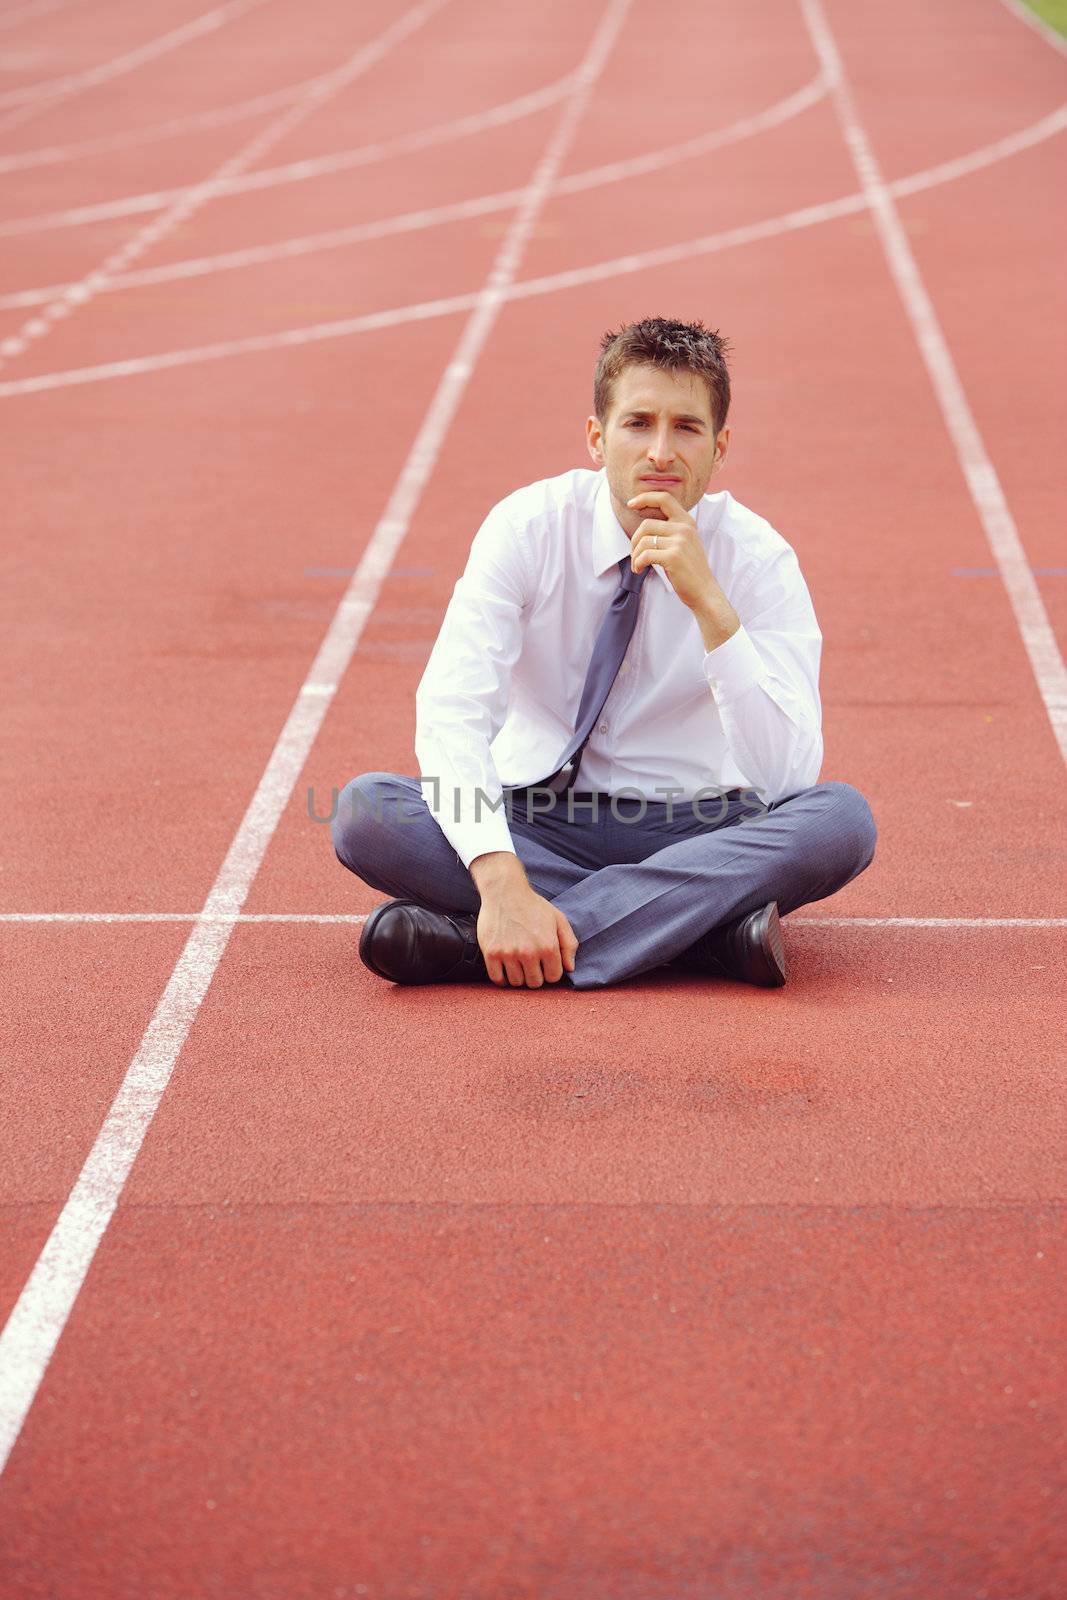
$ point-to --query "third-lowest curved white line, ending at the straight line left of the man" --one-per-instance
(316, 167)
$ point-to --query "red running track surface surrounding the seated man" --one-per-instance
(692, 1292)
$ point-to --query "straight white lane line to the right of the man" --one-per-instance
(975, 463)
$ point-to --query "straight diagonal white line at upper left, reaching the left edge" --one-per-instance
(193, 199)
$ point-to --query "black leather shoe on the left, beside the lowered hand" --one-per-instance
(414, 945)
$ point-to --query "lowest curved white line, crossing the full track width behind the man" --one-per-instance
(754, 233)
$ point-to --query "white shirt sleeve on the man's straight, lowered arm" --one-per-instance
(462, 700)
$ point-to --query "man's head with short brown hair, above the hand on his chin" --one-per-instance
(661, 398)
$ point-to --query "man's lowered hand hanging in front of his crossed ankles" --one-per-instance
(526, 942)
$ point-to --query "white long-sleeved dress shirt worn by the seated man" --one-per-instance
(498, 702)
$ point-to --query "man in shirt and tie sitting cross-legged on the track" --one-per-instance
(625, 626)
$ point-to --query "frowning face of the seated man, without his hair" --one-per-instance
(660, 434)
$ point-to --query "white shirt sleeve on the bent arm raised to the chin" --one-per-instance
(765, 682)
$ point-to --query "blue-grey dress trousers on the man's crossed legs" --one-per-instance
(639, 881)
